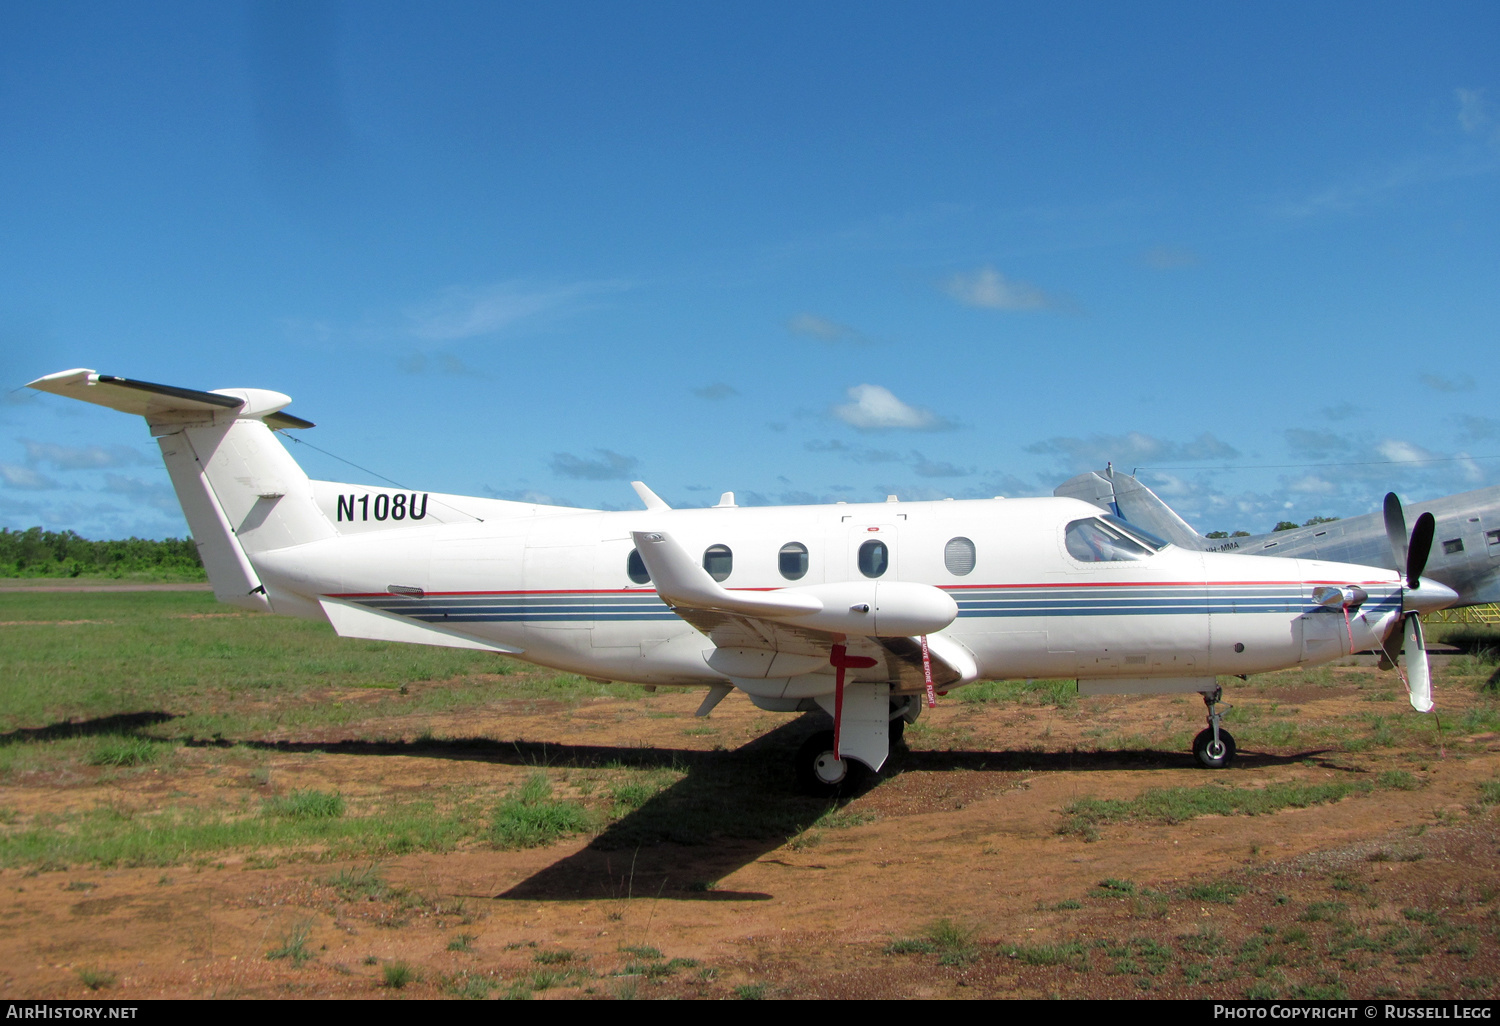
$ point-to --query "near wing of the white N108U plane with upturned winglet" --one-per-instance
(754, 641)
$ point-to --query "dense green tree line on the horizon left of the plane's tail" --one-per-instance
(64, 554)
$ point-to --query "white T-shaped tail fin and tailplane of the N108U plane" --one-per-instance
(241, 490)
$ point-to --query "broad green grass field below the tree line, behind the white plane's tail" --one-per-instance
(214, 671)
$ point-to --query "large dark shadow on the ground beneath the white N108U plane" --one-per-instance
(730, 809)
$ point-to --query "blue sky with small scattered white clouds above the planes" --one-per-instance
(803, 253)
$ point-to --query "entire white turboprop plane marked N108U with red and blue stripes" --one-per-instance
(866, 611)
